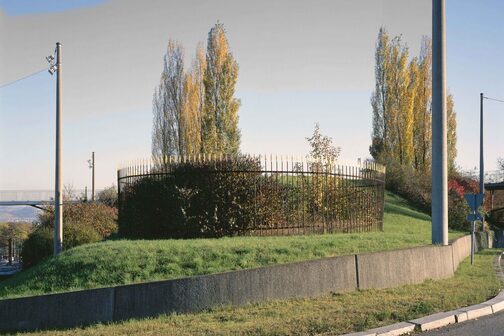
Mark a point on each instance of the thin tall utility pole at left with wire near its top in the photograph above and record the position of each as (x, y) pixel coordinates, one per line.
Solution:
(58, 197)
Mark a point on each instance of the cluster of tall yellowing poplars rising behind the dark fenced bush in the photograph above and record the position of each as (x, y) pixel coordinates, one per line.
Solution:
(195, 111)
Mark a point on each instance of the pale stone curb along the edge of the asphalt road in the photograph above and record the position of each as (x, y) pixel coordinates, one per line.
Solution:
(443, 319)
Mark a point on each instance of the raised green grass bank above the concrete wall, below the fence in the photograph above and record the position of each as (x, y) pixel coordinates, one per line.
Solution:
(131, 261)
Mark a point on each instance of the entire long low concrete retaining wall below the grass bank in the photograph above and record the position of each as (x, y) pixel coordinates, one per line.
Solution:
(300, 279)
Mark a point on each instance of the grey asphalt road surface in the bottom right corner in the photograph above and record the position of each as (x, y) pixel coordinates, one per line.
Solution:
(492, 325)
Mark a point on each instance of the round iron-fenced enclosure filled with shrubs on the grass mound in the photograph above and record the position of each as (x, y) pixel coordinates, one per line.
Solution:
(215, 196)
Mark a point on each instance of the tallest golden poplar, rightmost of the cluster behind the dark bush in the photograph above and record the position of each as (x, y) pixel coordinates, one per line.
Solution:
(220, 132)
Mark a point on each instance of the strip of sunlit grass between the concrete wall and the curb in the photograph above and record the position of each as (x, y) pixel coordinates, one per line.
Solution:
(328, 315)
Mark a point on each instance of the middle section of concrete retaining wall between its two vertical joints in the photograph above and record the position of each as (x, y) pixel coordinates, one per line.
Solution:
(301, 279)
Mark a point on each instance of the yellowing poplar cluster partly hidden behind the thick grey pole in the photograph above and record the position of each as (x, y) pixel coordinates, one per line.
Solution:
(402, 106)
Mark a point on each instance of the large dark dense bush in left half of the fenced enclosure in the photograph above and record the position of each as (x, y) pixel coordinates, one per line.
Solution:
(196, 200)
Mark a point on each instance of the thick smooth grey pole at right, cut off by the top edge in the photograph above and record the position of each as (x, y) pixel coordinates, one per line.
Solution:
(439, 136)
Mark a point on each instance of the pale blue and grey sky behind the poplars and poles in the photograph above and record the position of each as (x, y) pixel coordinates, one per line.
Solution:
(300, 62)
